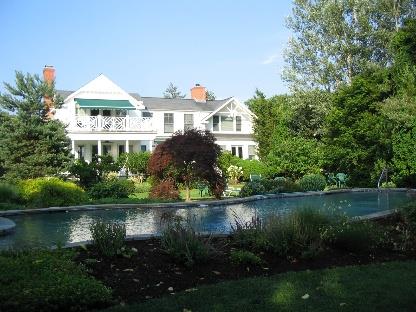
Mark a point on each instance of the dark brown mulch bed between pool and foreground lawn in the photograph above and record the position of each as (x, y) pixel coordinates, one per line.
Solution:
(152, 273)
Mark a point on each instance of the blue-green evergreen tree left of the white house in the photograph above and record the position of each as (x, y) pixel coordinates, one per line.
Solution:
(31, 144)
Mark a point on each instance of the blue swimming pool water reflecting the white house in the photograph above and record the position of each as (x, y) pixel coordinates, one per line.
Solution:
(48, 229)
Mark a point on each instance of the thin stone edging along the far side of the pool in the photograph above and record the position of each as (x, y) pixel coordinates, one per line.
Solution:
(201, 204)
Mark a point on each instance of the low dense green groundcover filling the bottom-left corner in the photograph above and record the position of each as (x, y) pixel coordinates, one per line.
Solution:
(37, 280)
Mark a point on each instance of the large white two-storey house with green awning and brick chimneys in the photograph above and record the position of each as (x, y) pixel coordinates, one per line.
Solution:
(102, 118)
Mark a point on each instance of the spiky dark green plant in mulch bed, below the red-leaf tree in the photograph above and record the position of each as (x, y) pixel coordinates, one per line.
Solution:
(180, 240)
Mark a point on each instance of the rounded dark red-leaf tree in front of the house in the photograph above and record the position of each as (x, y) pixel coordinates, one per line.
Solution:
(186, 158)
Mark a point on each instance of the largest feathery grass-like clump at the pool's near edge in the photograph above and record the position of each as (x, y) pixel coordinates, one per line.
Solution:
(296, 234)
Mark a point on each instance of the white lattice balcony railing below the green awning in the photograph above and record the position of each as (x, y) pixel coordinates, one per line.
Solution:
(104, 123)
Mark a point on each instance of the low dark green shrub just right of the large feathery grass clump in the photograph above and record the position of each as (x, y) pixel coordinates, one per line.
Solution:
(352, 236)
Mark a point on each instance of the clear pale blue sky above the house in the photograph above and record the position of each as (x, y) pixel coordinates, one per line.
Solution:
(231, 47)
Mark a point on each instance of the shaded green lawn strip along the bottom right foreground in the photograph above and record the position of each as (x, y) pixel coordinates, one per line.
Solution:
(379, 287)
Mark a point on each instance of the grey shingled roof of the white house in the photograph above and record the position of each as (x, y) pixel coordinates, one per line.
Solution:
(155, 103)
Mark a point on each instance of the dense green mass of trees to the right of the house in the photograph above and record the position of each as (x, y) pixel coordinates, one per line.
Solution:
(359, 125)
